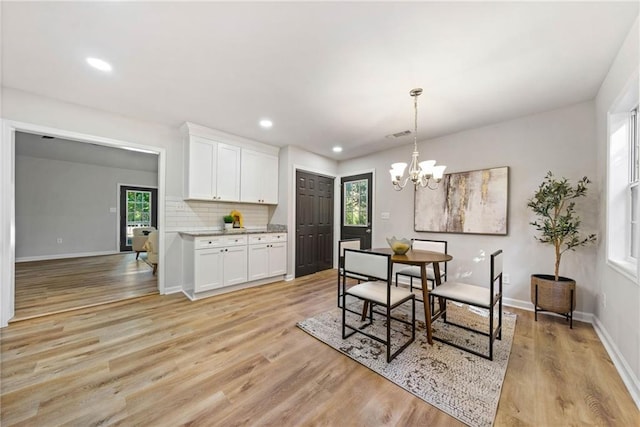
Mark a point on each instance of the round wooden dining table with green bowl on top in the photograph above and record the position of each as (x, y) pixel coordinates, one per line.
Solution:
(421, 259)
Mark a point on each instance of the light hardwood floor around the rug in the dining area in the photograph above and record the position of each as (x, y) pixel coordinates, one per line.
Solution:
(239, 359)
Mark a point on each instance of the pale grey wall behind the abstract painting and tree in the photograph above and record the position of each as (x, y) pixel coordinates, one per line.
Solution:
(562, 141)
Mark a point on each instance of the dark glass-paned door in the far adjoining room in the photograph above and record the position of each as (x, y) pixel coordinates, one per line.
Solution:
(138, 208)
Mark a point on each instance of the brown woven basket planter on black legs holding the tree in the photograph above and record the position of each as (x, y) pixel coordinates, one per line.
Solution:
(556, 296)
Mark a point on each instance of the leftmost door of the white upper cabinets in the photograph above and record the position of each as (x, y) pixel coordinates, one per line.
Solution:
(202, 158)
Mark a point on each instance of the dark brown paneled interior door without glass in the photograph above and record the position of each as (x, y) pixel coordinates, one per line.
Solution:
(314, 223)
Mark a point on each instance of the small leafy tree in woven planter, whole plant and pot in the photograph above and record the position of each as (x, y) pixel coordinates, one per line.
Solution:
(558, 225)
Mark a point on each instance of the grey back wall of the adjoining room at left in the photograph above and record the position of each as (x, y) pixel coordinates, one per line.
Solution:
(69, 200)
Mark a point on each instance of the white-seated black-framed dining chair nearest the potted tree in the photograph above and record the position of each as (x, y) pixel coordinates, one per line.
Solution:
(477, 296)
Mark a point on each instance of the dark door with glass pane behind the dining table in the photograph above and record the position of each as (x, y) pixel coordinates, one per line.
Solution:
(356, 200)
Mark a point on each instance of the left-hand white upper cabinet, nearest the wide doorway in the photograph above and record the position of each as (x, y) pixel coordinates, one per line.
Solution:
(212, 170)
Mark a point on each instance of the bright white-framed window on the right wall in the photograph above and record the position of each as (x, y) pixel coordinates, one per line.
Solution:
(623, 204)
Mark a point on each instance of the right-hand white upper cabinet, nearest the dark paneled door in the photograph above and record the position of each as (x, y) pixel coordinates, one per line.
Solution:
(259, 177)
